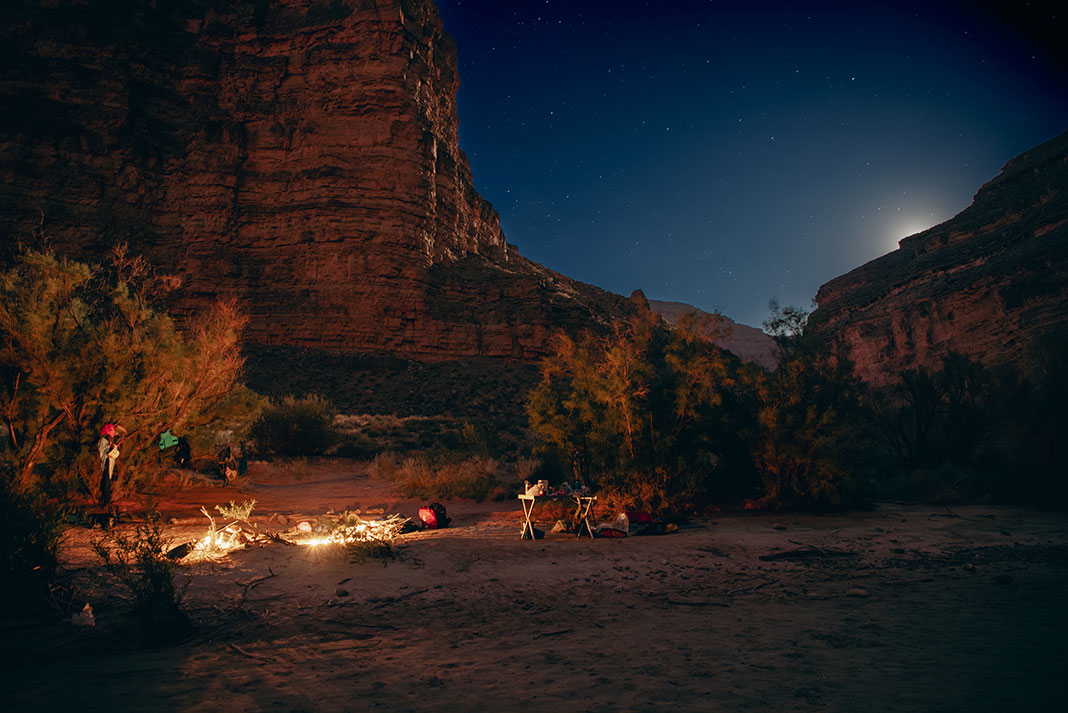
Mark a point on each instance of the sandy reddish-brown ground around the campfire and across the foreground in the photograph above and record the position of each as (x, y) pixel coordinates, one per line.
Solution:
(473, 619)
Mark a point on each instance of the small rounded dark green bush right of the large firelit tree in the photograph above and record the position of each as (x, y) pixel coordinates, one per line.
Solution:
(296, 427)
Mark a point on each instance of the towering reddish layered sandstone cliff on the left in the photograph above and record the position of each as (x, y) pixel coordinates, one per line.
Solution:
(301, 156)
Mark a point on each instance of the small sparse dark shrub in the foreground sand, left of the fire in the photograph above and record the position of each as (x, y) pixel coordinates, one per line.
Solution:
(140, 564)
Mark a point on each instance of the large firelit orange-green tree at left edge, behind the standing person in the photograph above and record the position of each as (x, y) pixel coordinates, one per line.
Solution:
(82, 346)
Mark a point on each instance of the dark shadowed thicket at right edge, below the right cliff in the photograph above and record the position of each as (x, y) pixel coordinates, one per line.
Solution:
(962, 432)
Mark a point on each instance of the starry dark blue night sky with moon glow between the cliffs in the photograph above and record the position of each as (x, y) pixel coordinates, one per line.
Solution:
(727, 153)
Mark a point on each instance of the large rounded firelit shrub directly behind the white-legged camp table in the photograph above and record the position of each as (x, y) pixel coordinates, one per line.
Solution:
(647, 410)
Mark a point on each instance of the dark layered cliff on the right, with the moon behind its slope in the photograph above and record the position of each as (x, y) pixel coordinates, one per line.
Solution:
(987, 283)
